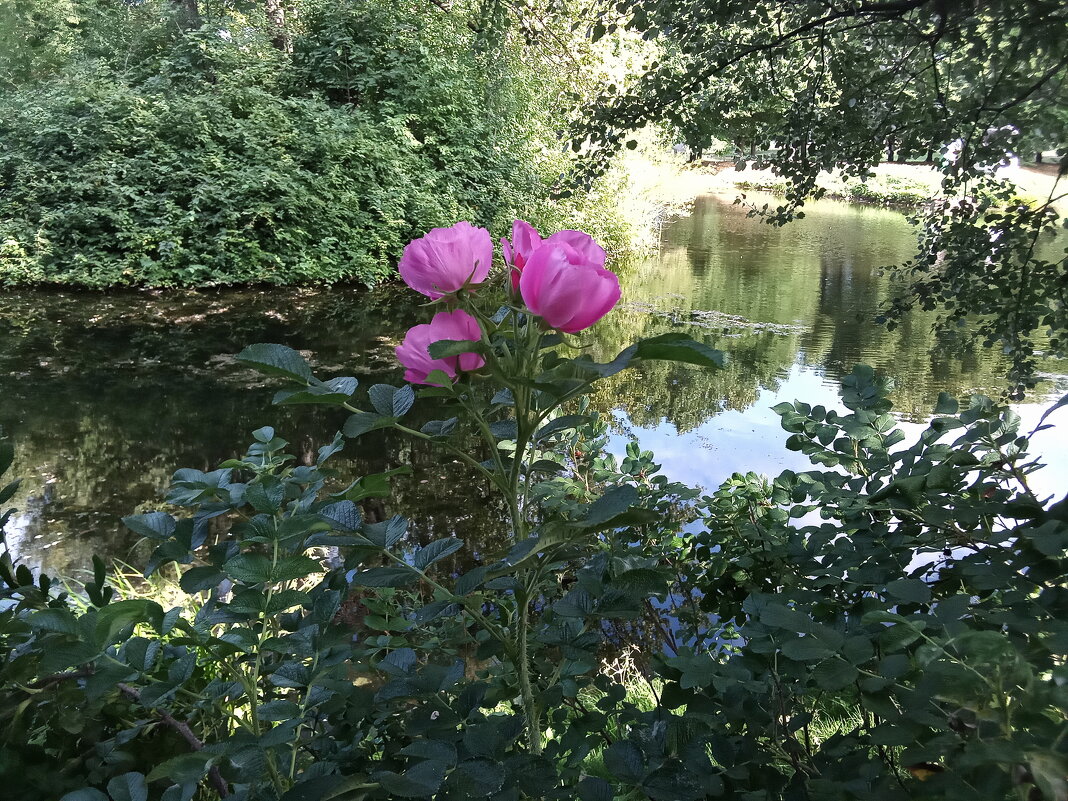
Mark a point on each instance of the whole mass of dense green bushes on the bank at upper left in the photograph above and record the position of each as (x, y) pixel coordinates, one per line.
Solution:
(144, 154)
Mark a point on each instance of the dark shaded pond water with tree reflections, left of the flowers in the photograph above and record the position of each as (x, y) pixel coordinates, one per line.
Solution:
(107, 396)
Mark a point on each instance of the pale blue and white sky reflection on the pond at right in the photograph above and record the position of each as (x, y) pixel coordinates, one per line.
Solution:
(753, 441)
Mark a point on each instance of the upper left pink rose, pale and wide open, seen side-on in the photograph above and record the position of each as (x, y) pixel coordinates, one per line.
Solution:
(447, 260)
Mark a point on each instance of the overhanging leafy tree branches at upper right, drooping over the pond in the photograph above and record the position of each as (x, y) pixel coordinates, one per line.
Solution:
(839, 85)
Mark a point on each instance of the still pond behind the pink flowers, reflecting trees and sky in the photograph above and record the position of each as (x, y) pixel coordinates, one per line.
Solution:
(106, 396)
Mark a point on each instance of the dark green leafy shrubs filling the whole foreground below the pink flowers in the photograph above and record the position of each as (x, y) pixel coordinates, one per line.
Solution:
(891, 625)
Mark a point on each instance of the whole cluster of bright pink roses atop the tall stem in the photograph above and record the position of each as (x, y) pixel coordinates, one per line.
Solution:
(561, 279)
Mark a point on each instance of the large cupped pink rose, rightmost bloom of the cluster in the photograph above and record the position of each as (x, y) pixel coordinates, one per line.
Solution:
(568, 287)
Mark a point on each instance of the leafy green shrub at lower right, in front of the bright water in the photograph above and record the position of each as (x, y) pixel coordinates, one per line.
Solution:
(919, 586)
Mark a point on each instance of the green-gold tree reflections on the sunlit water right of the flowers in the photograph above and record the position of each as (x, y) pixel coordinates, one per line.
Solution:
(823, 273)
